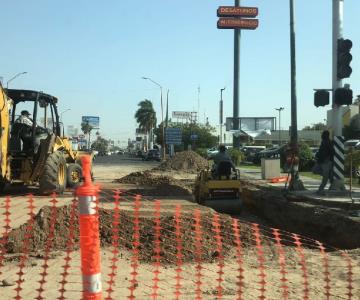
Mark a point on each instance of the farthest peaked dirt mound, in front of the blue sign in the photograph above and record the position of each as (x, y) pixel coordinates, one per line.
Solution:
(188, 161)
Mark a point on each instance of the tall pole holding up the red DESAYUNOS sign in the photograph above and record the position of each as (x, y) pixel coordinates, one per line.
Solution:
(237, 34)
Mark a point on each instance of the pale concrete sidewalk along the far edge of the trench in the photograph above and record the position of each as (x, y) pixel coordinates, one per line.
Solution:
(311, 186)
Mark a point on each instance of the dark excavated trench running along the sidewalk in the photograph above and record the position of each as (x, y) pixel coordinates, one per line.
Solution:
(329, 223)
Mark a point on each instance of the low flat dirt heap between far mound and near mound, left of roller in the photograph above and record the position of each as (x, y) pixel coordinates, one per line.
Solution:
(155, 185)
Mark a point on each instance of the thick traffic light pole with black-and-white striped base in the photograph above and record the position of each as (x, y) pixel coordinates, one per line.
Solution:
(339, 158)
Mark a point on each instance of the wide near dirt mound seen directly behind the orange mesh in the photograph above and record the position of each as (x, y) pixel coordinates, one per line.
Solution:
(36, 241)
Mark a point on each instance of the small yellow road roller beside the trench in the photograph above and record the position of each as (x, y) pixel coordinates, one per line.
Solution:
(220, 191)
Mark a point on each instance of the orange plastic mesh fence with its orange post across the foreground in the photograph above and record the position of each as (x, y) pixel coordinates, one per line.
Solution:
(151, 249)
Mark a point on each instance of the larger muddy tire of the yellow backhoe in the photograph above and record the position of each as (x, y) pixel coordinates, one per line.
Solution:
(53, 178)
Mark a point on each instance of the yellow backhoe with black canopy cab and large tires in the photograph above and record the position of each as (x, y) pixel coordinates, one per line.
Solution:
(37, 154)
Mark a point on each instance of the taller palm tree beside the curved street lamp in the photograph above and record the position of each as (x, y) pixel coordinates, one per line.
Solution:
(146, 117)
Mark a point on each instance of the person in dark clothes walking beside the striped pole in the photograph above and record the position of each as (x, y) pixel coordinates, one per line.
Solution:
(325, 157)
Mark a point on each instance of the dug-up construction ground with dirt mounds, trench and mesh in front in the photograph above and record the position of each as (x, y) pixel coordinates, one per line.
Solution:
(156, 242)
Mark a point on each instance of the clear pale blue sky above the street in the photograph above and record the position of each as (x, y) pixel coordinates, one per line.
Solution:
(92, 55)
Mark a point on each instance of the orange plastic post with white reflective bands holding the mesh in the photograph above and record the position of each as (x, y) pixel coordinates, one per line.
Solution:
(87, 195)
